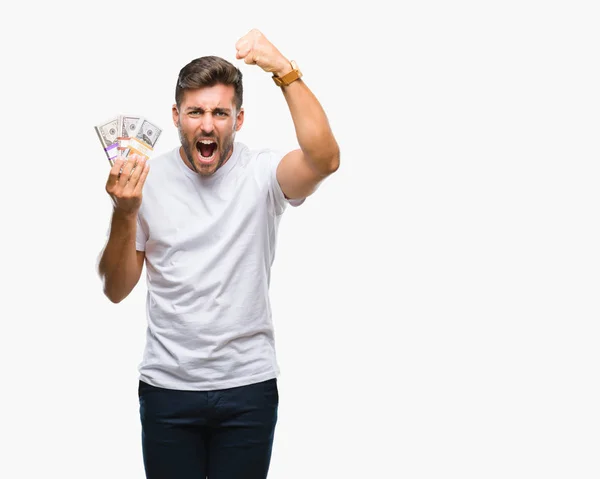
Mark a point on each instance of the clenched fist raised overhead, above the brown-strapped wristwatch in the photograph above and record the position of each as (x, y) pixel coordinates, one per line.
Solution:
(255, 49)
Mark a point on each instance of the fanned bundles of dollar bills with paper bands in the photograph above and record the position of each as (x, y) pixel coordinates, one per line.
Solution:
(127, 134)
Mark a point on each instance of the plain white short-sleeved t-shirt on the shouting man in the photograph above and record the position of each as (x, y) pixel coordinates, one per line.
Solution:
(209, 244)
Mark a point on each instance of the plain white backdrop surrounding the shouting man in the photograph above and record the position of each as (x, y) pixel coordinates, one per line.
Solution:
(436, 301)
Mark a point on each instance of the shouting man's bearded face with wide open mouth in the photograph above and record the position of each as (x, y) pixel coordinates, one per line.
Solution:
(207, 122)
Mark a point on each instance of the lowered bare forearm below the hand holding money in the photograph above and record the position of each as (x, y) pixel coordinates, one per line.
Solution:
(118, 266)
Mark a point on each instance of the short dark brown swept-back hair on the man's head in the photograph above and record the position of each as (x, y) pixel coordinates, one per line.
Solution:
(209, 71)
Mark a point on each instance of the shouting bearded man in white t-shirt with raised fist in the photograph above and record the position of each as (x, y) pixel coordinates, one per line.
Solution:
(207, 230)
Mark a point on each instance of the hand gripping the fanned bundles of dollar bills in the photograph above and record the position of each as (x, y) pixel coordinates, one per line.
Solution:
(125, 182)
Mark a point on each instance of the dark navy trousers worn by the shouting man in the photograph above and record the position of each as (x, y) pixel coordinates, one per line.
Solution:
(222, 434)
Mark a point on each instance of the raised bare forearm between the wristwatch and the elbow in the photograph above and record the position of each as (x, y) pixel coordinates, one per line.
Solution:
(313, 131)
